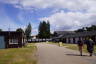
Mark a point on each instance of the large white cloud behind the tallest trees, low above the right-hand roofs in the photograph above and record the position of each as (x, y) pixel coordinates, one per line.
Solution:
(71, 20)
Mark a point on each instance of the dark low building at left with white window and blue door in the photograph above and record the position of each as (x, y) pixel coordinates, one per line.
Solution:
(12, 39)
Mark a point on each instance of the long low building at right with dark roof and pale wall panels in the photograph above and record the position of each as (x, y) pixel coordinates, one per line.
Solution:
(72, 37)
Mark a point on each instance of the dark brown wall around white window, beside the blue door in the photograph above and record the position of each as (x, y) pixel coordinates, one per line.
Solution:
(11, 36)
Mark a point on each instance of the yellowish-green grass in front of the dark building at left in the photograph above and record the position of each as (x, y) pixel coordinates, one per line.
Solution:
(25, 55)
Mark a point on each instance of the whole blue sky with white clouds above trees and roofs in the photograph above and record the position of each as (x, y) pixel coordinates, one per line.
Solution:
(63, 15)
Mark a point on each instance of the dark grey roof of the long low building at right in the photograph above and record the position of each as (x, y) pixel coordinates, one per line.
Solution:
(68, 34)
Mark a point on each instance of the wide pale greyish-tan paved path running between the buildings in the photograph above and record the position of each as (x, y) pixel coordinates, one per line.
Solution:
(52, 54)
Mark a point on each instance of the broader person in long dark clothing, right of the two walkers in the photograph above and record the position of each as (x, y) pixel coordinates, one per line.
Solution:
(90, 45)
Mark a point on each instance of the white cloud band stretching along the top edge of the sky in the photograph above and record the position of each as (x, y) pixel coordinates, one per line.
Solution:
(88, 5)
